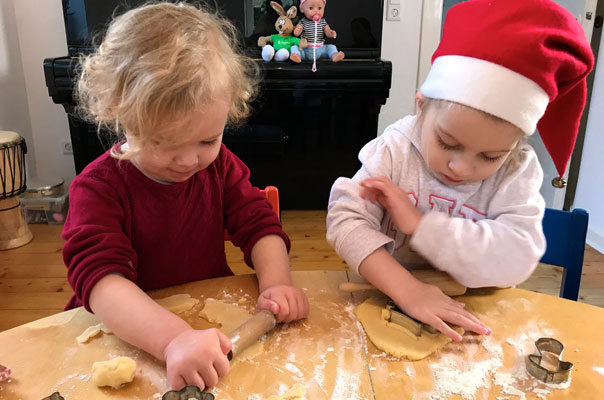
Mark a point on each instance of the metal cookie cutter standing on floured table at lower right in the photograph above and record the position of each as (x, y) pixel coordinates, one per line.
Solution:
(548, 366)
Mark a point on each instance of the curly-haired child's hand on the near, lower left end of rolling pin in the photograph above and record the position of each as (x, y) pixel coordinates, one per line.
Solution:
(197, 357)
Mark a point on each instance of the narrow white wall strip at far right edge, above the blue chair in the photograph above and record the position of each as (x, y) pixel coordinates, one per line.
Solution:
(590, 186)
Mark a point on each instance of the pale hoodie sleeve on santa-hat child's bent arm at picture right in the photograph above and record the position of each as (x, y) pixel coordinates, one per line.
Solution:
(503, 249)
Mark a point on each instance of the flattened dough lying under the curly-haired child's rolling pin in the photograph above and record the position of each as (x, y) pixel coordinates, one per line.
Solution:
(230, 317)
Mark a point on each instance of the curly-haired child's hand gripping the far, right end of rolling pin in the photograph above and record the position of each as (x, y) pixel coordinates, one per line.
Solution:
(287, 302)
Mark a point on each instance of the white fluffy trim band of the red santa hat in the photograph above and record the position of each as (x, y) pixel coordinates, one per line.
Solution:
(488, 87)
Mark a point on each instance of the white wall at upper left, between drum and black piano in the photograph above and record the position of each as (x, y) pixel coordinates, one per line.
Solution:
(33, 30)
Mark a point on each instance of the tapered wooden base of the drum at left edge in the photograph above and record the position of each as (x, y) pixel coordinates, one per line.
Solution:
(14, 231)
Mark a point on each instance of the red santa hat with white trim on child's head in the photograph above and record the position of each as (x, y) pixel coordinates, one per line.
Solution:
(524, 61)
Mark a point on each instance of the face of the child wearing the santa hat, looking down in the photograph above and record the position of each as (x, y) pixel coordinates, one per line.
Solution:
(462, 145)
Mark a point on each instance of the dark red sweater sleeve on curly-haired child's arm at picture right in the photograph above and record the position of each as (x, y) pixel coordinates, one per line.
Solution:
(248, 215)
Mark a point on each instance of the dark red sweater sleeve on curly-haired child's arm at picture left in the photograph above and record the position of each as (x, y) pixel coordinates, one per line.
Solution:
(95, 242)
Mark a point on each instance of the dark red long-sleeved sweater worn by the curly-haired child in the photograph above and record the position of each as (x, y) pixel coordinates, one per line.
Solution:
(160, 235)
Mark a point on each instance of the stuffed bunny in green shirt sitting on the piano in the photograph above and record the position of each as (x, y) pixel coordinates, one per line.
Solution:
(284, 44)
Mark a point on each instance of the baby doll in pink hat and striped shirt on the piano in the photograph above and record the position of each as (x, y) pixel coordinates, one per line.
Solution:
(315, 29)
